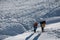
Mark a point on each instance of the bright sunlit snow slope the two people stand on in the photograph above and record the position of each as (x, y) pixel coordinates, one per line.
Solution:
(52, 32)
